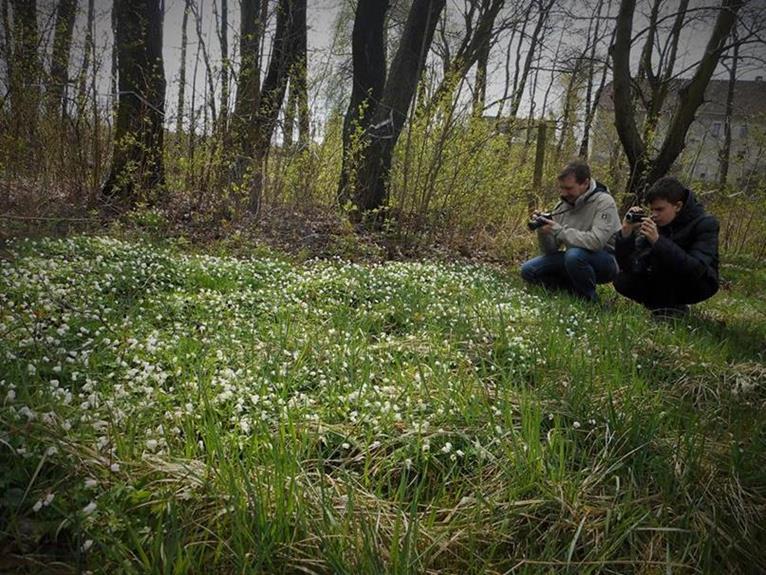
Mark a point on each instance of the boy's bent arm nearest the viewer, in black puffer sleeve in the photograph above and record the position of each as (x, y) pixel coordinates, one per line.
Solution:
(695, 261)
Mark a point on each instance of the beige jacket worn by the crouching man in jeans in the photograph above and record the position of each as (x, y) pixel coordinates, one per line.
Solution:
(591, 223)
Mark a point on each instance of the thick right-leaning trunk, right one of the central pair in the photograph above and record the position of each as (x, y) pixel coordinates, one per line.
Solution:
(391, 113)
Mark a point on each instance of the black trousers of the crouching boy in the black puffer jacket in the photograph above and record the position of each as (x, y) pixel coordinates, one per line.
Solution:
(664, 290)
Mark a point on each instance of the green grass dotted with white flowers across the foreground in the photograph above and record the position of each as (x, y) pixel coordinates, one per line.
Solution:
(170, 413)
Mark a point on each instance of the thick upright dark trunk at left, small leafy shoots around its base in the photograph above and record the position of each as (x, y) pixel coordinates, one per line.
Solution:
(137, 168)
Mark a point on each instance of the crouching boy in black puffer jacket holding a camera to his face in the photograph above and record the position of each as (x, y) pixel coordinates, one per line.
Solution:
(669, 259)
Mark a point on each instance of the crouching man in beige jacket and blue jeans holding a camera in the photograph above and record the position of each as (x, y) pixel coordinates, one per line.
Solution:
(583, 223)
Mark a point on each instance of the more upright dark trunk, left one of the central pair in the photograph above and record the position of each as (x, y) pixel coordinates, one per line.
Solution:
(368, 52)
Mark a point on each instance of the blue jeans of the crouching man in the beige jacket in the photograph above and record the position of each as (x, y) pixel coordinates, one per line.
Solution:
(577, 270)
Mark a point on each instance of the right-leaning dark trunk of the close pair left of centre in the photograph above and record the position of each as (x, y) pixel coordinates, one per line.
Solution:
(284, 53)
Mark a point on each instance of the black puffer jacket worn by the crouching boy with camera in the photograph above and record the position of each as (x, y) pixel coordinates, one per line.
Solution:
(687, 247)
